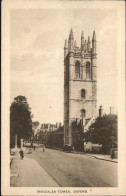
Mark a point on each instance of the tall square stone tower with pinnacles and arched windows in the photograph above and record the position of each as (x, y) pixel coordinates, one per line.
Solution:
(80, 82)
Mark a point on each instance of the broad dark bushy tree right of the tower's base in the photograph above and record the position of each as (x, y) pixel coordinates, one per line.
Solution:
(103, 131)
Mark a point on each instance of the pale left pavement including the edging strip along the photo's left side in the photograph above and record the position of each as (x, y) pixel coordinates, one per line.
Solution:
(28, 173)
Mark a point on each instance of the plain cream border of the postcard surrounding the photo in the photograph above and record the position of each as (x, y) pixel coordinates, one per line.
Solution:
(7, 5)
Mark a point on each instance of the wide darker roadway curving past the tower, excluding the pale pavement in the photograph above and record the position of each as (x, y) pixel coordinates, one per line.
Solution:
(75, 170)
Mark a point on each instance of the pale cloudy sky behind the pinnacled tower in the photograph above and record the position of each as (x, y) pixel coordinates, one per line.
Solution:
(37, 39)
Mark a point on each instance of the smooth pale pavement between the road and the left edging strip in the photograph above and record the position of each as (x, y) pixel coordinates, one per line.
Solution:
(31, 174)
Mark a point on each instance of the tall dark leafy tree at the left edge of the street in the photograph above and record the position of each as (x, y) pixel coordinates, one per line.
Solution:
(20, 120)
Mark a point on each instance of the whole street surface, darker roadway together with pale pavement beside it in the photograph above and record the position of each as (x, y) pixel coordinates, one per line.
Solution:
(56, 168)
